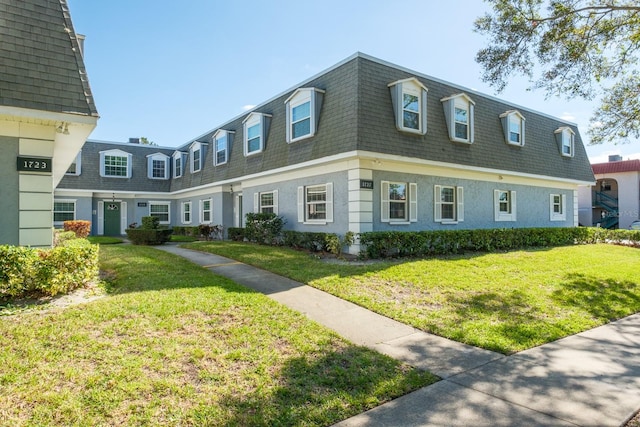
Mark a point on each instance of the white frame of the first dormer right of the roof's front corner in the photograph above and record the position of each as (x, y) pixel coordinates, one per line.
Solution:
(411, 87)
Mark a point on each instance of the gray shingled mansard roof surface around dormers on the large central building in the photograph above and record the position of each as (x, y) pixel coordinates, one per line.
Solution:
(357, 114)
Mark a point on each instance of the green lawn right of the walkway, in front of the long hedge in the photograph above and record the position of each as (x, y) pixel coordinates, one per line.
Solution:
(505, 302)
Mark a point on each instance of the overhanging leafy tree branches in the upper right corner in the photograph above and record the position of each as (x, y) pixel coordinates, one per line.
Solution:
(570, 48)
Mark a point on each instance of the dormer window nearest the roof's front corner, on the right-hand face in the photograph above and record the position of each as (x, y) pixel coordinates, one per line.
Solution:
(409, 99)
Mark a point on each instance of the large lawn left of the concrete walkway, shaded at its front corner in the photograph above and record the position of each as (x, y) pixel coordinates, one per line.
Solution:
(173, 344)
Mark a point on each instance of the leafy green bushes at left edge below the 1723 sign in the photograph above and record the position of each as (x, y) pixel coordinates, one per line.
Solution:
(27, 271)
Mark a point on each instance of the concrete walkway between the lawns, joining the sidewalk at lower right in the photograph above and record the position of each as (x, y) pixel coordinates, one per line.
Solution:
(589, 379)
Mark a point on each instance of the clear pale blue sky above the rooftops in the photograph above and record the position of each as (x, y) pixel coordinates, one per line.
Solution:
(171, 71)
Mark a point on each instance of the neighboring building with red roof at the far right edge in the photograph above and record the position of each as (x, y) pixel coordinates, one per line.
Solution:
(614, 200)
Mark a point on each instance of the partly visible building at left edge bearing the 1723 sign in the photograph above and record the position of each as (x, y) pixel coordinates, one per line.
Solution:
(46, 114)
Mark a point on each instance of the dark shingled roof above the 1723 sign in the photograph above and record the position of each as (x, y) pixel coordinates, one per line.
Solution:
(41, 66)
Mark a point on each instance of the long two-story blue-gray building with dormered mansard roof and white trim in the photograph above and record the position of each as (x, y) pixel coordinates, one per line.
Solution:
(363, 146)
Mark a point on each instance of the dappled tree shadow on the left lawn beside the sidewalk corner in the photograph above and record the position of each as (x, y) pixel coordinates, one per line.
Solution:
(320, 391)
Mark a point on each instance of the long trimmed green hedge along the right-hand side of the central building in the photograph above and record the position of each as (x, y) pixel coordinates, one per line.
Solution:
(395, 244)
